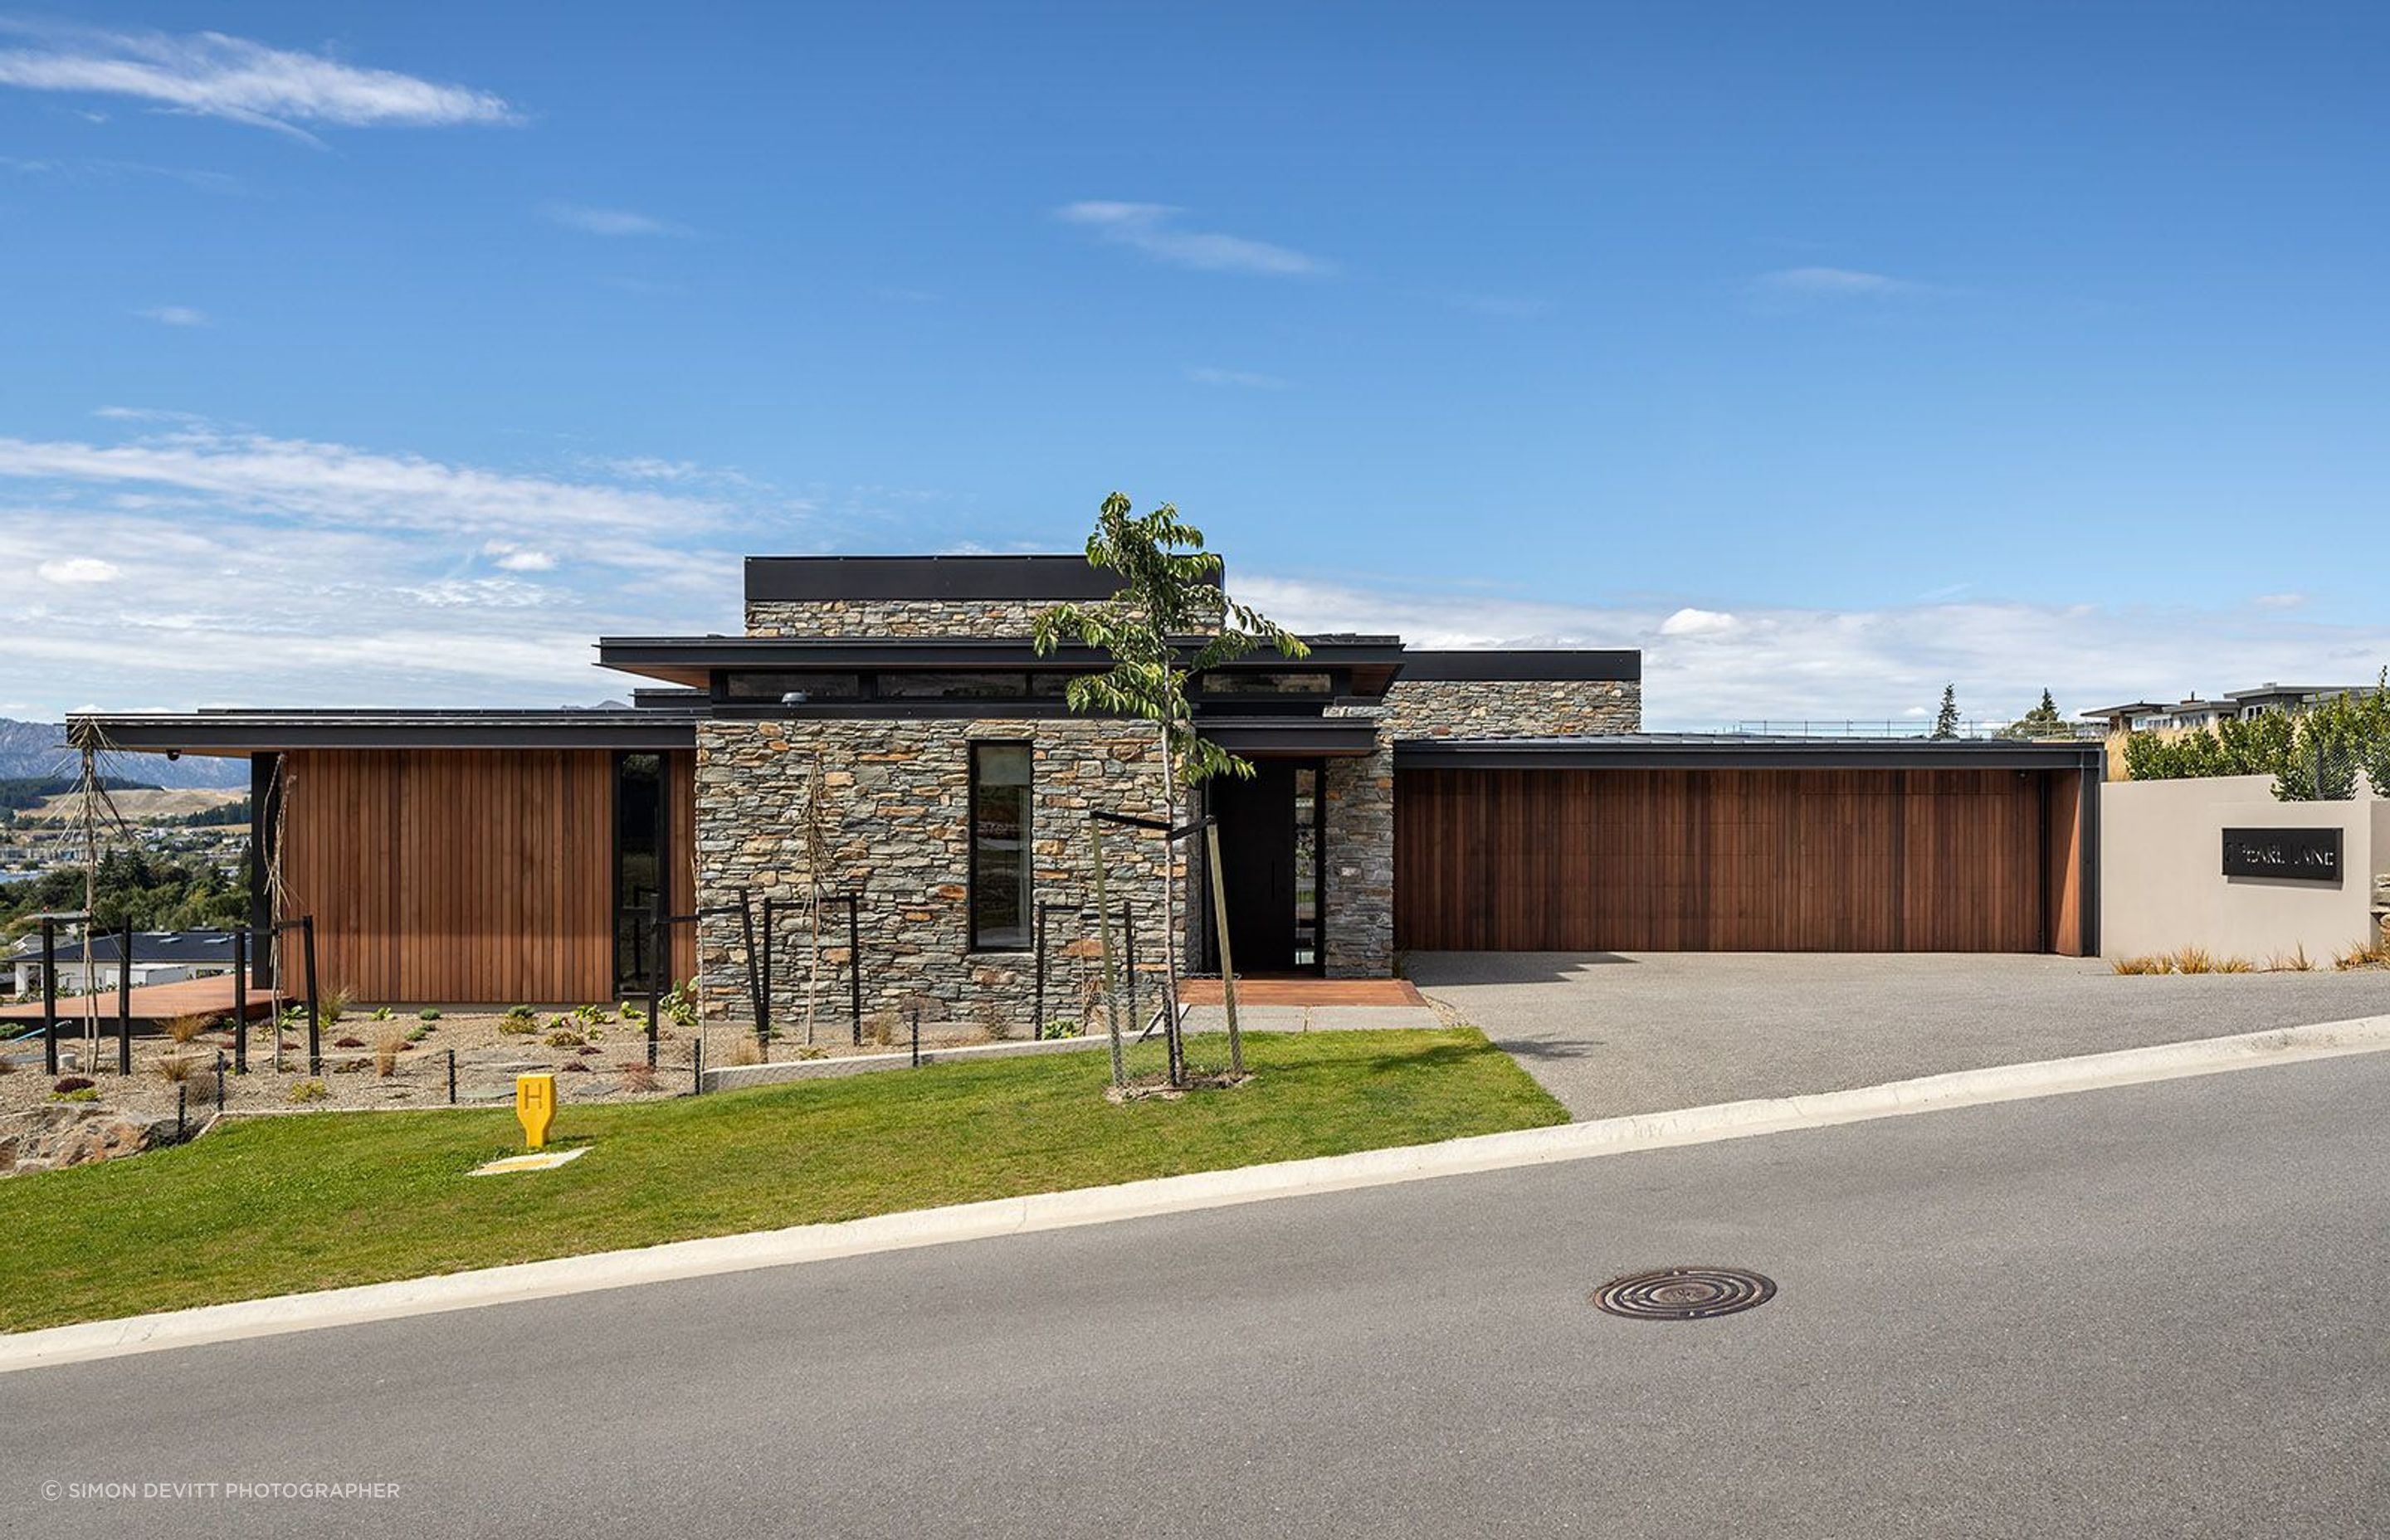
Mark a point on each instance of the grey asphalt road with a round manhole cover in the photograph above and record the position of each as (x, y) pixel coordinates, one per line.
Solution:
(2147, 1312)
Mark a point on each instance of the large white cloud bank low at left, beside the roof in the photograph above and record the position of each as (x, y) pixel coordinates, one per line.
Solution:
(161, 570)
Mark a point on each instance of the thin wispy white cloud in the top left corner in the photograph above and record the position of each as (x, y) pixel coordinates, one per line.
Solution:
(216, 75)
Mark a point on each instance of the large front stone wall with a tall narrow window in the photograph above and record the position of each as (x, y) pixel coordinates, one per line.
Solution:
(895, 821)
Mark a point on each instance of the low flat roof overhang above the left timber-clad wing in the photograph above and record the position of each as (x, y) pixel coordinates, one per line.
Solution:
(238, 733)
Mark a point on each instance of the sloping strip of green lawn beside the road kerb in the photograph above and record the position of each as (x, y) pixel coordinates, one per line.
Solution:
(290, 1204)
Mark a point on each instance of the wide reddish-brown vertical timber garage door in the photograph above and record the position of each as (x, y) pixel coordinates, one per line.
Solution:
(1732, 860)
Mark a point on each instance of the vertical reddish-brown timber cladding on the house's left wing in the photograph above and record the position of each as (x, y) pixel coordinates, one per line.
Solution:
(465, 876)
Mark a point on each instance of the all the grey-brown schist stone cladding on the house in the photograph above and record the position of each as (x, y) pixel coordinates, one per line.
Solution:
(888, 807)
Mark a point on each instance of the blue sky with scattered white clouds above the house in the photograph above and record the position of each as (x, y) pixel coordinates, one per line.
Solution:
(1827, 353)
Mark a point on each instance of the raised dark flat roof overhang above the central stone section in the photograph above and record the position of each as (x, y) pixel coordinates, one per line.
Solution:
(694, 661)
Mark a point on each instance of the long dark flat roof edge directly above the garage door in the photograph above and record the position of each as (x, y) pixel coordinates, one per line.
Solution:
(1729, 752)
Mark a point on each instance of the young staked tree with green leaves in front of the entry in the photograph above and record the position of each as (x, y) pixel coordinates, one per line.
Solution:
(1168, 623)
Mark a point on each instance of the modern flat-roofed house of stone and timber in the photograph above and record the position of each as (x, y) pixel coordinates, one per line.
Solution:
(883, 728)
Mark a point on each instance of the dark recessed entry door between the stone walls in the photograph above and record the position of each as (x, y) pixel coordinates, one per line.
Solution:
(1270, 864)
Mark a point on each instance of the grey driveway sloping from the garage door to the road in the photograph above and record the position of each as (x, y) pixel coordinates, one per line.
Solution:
(1648, 1032)
